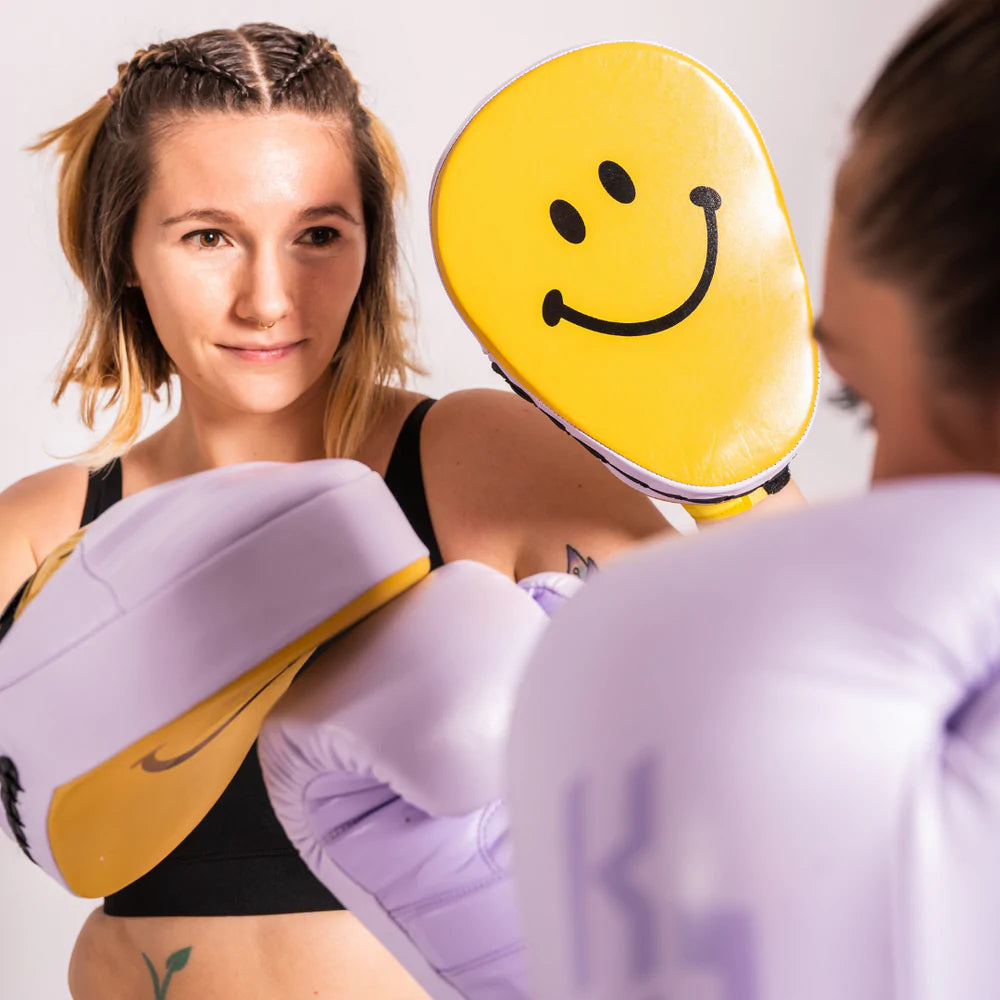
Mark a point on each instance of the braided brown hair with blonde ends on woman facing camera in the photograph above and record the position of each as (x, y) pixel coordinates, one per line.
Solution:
(105, 162)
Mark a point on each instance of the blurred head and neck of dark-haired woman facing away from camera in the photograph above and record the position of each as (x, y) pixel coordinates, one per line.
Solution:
(912, 292)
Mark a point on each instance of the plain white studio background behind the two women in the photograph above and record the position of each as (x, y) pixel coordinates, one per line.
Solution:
(799, 65)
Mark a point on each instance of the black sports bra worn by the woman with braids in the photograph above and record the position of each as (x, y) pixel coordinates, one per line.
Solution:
(238, 860)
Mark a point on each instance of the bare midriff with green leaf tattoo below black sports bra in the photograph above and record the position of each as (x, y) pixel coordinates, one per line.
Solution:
(297, 956)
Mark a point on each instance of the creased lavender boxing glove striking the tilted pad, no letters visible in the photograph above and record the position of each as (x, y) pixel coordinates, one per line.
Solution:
(384, 763)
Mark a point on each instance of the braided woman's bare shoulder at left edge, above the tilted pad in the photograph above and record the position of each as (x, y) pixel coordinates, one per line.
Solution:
(36, 514)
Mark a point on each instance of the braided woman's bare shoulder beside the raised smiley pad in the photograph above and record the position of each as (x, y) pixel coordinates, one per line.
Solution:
(507, 487)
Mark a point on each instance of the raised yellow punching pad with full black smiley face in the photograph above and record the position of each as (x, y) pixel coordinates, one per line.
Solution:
(610, 227)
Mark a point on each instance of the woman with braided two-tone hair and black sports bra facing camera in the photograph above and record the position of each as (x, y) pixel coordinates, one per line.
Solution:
(228, 207)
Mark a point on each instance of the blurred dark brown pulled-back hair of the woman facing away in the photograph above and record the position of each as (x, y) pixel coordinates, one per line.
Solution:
(924, 207)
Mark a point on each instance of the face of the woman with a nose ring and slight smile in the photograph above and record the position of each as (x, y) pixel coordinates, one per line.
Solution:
(249, 248)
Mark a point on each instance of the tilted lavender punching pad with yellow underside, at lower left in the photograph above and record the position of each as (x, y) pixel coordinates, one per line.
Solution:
(138, 662)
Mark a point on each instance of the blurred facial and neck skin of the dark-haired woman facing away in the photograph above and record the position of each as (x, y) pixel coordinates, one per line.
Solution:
(869, 331)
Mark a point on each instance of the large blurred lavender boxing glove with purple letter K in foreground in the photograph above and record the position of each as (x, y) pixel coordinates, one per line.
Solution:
(789, 791)
